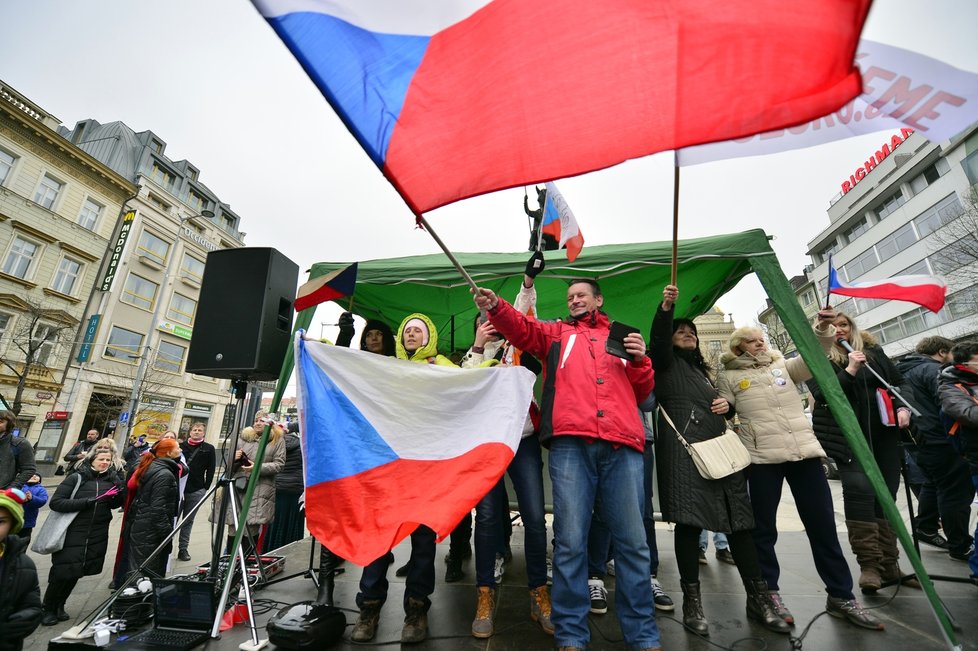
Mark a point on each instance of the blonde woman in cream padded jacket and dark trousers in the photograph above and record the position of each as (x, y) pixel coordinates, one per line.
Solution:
(760, 384)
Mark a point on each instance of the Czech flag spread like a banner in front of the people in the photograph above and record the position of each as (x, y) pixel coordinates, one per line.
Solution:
(389, 444)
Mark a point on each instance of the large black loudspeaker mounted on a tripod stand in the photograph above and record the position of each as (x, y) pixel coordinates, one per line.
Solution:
(244, 315)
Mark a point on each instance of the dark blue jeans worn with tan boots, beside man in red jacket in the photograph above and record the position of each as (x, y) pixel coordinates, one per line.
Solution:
(526, 471)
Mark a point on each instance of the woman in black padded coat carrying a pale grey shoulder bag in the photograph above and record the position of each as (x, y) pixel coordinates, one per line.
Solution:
(101, 488)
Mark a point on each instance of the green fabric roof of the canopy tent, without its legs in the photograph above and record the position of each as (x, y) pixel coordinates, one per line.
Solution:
(631, 276)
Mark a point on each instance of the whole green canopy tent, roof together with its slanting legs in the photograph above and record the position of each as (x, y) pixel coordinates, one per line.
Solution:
(632, 277)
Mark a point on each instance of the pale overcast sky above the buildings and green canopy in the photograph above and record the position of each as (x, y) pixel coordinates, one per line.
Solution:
(213, 80)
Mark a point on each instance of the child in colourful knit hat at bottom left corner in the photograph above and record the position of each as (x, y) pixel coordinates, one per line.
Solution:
(20, 598)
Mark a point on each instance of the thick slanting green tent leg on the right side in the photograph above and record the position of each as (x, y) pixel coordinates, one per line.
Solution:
(796, 323)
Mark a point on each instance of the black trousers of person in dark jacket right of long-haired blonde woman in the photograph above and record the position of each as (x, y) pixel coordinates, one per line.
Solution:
(952, 481)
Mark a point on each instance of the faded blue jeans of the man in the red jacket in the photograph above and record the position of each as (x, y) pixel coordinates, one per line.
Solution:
(581, 471)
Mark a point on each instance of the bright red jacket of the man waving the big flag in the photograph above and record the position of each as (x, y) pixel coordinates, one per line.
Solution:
(587, 392)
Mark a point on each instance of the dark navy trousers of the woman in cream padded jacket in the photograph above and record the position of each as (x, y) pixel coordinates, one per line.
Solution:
(813, 499)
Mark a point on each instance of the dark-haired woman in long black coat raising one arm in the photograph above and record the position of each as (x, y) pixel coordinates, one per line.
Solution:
(685, 392)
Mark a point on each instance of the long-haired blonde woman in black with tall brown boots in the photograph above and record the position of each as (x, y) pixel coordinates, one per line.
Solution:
(872, 539)
